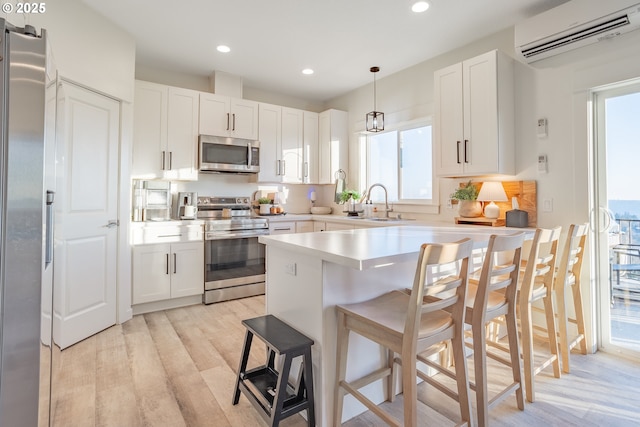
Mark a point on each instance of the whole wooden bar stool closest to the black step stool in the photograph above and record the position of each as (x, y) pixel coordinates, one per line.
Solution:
(408, 324)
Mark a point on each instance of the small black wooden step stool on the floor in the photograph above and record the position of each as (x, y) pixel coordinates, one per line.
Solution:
(267, 389)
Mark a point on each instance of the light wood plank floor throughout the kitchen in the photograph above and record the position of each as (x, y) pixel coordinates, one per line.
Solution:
(177, 368)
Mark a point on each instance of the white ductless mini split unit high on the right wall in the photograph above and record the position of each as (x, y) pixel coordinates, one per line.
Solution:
(574, 24)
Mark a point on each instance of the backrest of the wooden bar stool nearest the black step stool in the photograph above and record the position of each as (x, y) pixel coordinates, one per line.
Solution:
(431, 291)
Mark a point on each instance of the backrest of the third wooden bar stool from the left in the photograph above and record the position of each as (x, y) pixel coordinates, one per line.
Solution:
(541, 263)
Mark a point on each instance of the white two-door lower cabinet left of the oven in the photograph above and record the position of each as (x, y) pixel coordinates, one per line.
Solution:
(167, 270)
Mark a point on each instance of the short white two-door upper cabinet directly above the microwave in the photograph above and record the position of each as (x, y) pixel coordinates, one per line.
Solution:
(225, 116)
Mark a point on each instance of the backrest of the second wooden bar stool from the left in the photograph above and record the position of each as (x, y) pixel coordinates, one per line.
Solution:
(496, 277)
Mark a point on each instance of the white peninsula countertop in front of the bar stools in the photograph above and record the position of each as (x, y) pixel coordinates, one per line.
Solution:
(372, 247)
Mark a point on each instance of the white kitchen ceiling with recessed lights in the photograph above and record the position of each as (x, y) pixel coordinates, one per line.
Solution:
(273, 40)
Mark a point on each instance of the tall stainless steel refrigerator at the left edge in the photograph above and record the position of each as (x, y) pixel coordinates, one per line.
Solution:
(26, 228)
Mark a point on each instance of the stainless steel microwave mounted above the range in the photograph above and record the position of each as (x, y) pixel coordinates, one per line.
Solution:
(232, 155)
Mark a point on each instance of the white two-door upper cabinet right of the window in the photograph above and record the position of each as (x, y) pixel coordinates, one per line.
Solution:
(474, 117)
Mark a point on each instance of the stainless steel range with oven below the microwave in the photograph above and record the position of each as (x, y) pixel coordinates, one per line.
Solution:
(234, 260)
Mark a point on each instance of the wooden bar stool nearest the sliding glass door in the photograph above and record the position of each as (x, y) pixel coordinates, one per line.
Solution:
(568, 277)
